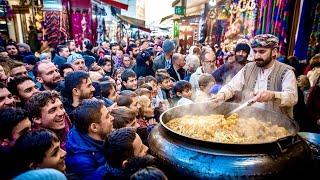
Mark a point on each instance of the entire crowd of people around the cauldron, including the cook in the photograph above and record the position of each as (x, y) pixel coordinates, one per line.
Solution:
(85, 114)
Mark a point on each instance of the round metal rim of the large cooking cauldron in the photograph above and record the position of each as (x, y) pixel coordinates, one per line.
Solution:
(292, 122)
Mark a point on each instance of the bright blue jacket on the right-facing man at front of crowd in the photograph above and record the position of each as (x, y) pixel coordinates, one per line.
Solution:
(84, 154)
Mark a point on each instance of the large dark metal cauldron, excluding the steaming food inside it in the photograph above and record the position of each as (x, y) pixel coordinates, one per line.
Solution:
(197, 159)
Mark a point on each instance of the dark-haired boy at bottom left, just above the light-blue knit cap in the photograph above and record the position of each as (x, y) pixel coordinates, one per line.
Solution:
(36, 150)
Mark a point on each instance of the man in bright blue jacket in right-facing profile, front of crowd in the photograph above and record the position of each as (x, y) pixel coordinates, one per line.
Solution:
(92, 122)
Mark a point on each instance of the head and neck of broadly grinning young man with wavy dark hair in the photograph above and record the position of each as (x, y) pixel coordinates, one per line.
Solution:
(46, 111)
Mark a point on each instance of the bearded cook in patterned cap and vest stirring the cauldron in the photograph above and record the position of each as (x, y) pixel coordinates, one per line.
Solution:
(272, 84)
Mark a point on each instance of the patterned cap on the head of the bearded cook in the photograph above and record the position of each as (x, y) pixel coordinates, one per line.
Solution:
(265, 40)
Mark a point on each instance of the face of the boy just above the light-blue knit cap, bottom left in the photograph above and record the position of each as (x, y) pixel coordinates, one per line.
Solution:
(54, 158)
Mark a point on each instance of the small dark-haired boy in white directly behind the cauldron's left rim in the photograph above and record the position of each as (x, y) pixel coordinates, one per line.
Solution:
(183, 93)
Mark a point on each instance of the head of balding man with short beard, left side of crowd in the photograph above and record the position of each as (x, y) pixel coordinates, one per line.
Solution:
(47, 74)
